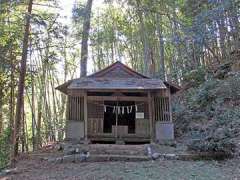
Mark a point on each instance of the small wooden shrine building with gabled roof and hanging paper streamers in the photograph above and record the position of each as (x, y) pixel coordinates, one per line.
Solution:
(118, 104)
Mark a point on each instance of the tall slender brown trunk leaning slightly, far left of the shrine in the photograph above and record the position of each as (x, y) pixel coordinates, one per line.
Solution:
(21, 83)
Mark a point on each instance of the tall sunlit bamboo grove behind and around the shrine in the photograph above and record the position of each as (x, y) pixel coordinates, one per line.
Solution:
(166, 39)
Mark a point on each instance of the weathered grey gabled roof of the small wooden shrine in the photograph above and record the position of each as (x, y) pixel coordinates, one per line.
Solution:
(115, 76)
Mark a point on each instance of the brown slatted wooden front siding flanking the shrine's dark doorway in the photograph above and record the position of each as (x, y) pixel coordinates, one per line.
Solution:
(155, 108)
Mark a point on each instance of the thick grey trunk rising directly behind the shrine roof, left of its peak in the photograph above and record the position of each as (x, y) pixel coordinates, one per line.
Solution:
(85, 35)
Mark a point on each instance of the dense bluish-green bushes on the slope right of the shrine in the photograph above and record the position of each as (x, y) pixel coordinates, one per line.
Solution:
(209, 116)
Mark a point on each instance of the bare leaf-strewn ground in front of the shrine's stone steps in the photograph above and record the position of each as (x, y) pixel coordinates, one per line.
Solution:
(34, 167)
